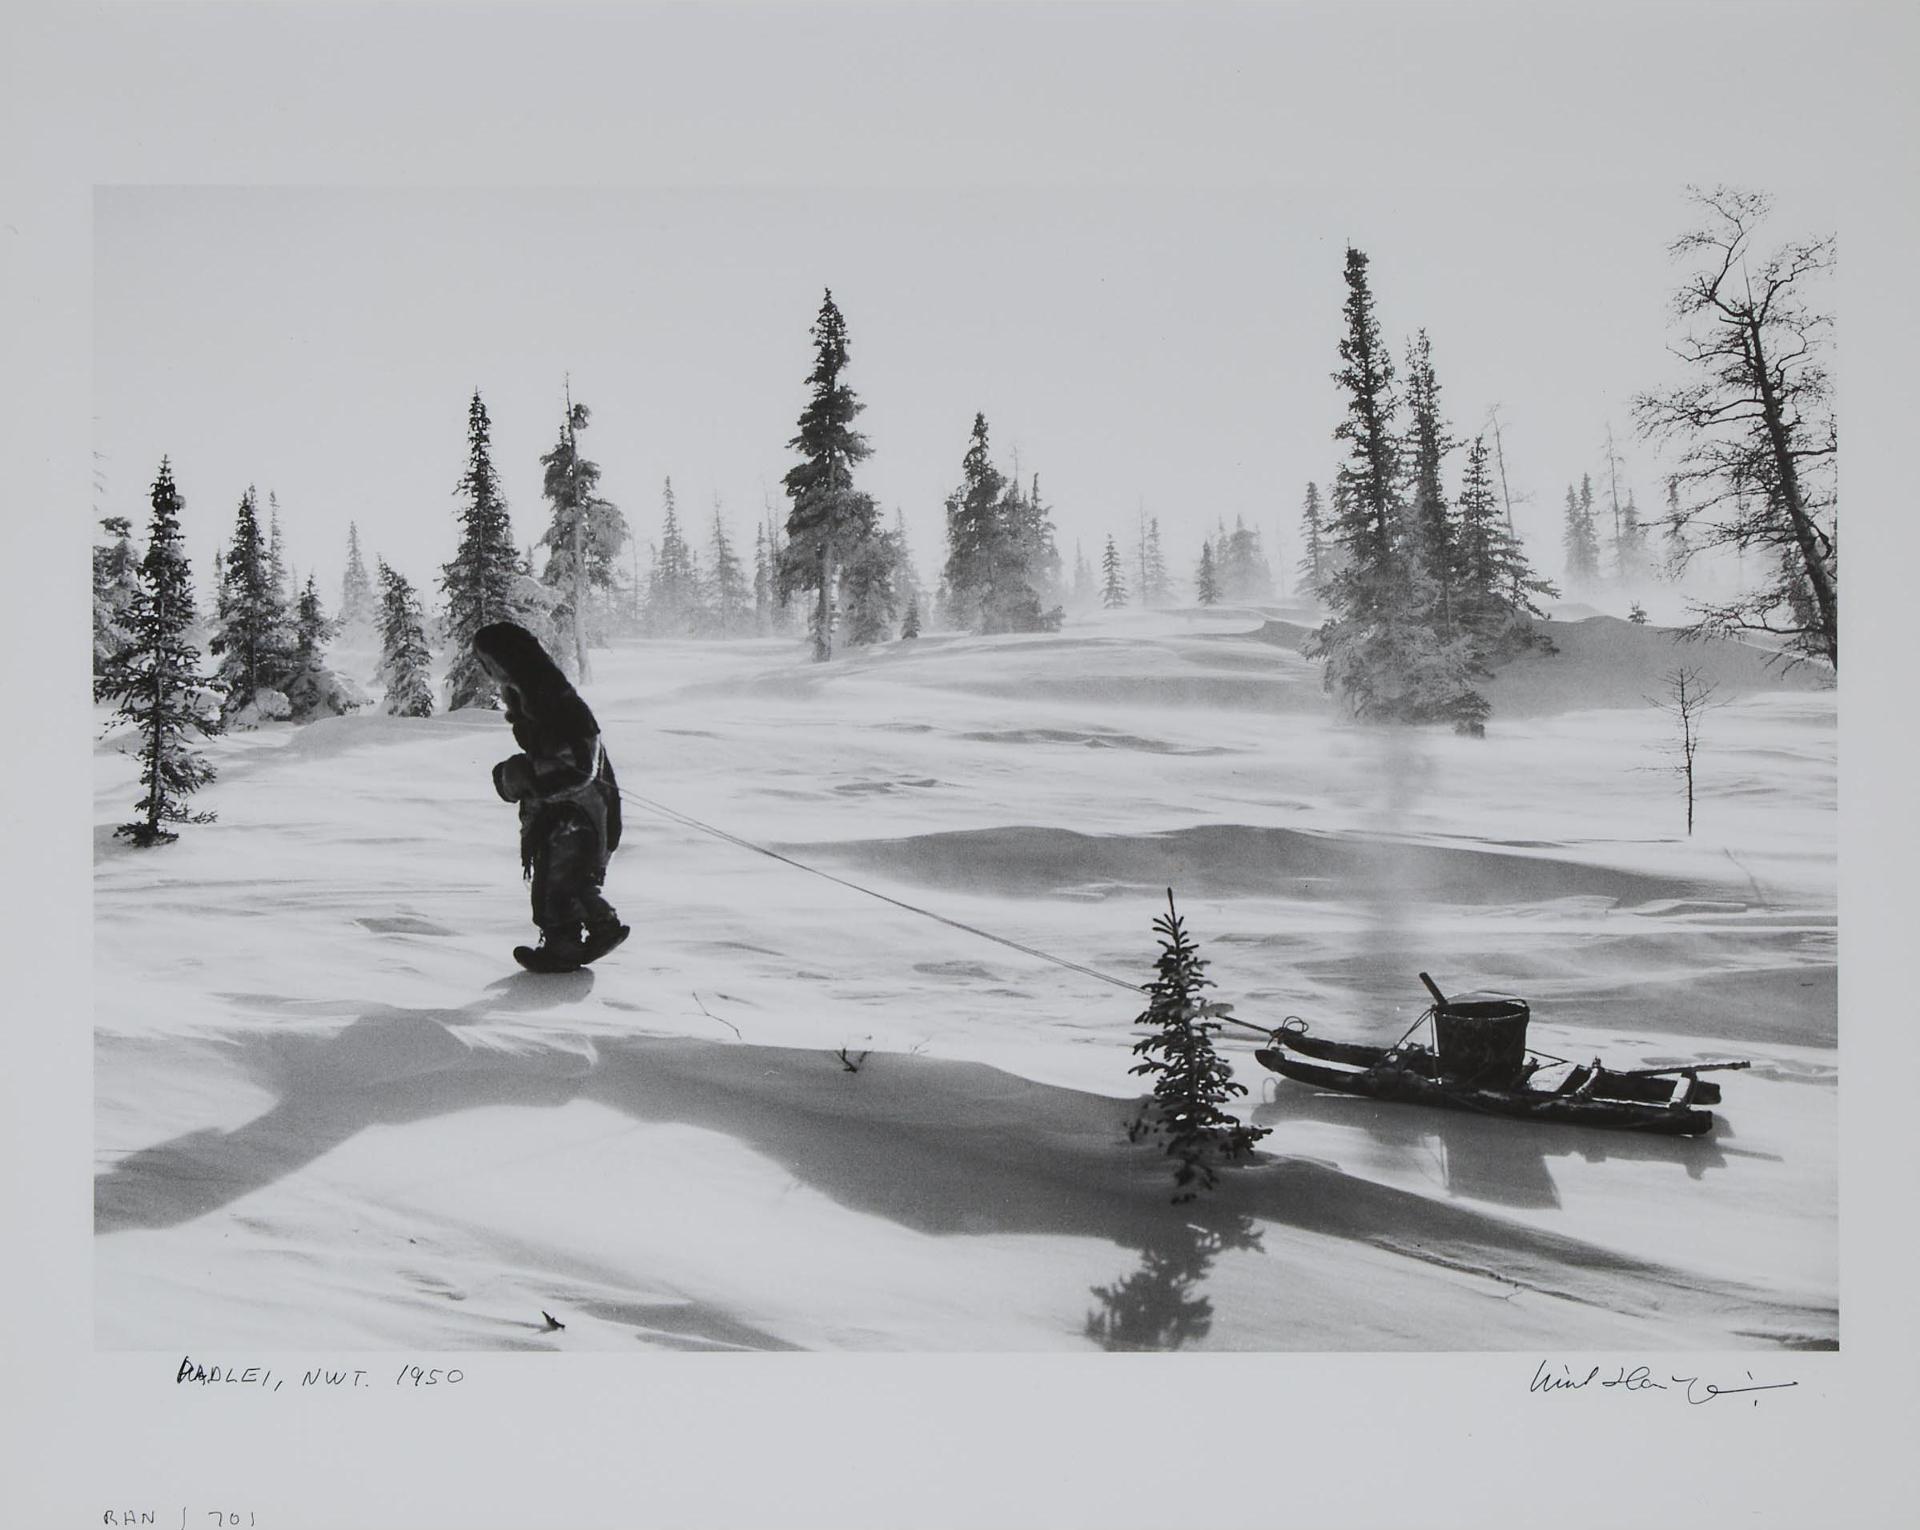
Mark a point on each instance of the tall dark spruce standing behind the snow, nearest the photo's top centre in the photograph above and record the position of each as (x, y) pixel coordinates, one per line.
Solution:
(828, 521)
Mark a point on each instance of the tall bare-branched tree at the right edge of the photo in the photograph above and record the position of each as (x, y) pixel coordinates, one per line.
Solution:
(1758, 423)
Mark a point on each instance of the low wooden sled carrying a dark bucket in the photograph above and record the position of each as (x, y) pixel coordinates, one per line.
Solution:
(1479, 1061)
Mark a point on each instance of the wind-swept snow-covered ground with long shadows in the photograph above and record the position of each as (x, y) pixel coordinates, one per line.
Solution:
(333, 1112)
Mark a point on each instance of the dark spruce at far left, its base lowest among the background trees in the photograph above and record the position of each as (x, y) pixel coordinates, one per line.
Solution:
(158, 682)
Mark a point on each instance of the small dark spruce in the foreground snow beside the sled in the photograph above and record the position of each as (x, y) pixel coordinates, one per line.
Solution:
(1191, 1080)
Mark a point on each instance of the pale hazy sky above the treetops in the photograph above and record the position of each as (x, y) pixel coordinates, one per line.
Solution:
(1164, 350)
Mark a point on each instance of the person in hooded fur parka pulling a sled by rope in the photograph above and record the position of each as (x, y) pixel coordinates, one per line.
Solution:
(567, 796)
